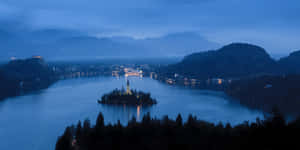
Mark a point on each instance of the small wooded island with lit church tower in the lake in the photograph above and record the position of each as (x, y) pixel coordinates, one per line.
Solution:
(128, 97)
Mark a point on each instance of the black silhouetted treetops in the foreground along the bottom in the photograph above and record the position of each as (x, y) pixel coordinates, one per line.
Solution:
(194, 134)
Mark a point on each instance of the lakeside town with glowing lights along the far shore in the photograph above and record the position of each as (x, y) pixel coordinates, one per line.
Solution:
(74, 70)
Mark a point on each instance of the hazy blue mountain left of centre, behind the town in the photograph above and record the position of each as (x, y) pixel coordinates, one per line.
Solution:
(91, 47)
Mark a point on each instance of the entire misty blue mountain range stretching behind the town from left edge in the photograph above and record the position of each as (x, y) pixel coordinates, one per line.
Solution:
(62, 44)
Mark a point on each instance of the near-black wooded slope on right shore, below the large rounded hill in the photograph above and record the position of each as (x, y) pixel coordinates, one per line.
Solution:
(264, 92)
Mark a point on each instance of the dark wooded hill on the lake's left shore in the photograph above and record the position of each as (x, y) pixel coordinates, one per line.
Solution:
(20, 76)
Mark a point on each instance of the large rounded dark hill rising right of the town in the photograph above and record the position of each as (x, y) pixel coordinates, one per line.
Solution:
(234, 60)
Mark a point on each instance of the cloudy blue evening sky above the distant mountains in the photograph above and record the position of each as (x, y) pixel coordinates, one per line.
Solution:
(144, 18)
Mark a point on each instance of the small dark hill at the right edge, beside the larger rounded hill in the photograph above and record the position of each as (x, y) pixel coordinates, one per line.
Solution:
(291, 63)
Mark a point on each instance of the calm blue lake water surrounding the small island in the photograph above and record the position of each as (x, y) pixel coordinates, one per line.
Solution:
(33, 122)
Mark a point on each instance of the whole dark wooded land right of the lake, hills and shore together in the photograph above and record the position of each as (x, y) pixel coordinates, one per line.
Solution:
(250, 75)
